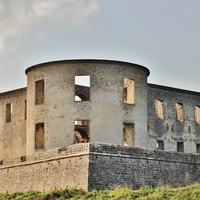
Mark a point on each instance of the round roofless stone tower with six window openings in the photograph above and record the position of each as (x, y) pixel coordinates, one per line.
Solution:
(76, 101)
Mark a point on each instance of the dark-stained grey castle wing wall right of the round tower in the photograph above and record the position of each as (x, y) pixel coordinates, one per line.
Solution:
(179, 122)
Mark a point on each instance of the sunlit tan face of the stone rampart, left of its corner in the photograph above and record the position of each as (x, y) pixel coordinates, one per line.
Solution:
(48, 170)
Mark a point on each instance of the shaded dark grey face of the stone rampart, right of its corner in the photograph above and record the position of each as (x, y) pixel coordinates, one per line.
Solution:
(112, 165)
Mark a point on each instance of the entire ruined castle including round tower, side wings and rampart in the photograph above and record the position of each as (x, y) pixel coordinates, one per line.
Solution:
(116, 118)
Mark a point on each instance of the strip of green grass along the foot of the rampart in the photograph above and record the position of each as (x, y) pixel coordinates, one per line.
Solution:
(190, 192)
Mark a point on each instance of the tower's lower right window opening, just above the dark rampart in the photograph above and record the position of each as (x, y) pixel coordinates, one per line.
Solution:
(128, 135)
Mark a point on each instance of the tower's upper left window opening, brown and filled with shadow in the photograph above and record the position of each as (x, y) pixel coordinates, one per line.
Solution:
(39, 92)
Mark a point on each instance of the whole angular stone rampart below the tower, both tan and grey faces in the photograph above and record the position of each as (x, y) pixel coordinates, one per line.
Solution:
(98, 166)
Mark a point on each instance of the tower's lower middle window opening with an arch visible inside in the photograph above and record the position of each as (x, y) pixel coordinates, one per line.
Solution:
(81, 131)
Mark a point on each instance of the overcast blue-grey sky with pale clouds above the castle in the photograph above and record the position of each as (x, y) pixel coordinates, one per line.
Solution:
(162, 35)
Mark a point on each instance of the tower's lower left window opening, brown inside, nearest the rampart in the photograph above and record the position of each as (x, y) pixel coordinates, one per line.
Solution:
(39, 136)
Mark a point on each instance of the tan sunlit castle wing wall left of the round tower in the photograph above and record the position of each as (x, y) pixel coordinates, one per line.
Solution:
(13, 124)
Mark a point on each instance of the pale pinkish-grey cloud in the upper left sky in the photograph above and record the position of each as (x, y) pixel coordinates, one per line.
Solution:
(20, 17)
